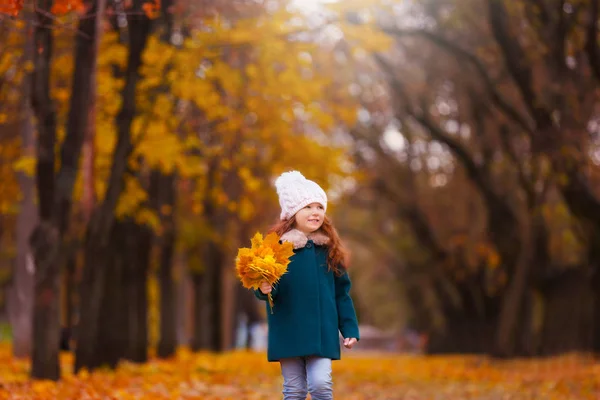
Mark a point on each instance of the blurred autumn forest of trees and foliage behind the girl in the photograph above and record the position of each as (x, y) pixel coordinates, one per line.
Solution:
(458, 140)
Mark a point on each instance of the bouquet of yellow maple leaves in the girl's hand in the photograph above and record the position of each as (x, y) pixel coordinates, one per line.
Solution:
(266, 260)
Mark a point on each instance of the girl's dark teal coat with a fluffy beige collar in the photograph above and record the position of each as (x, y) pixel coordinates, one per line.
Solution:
(311, 304)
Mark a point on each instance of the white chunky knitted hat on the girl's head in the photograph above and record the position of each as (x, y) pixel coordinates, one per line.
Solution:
(296, 192)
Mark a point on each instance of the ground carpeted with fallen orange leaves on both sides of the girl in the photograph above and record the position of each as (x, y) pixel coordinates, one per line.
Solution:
(359, 376)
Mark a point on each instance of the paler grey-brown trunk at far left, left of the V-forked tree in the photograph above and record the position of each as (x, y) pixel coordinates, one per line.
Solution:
(20, 295)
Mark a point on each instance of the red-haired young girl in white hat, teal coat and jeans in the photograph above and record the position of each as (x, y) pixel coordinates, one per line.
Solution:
(311, 301)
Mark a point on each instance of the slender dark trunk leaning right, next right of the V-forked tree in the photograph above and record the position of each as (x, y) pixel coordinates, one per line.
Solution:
(102, 221)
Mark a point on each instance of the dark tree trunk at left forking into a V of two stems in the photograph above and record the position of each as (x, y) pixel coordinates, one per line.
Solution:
(55, 194)
